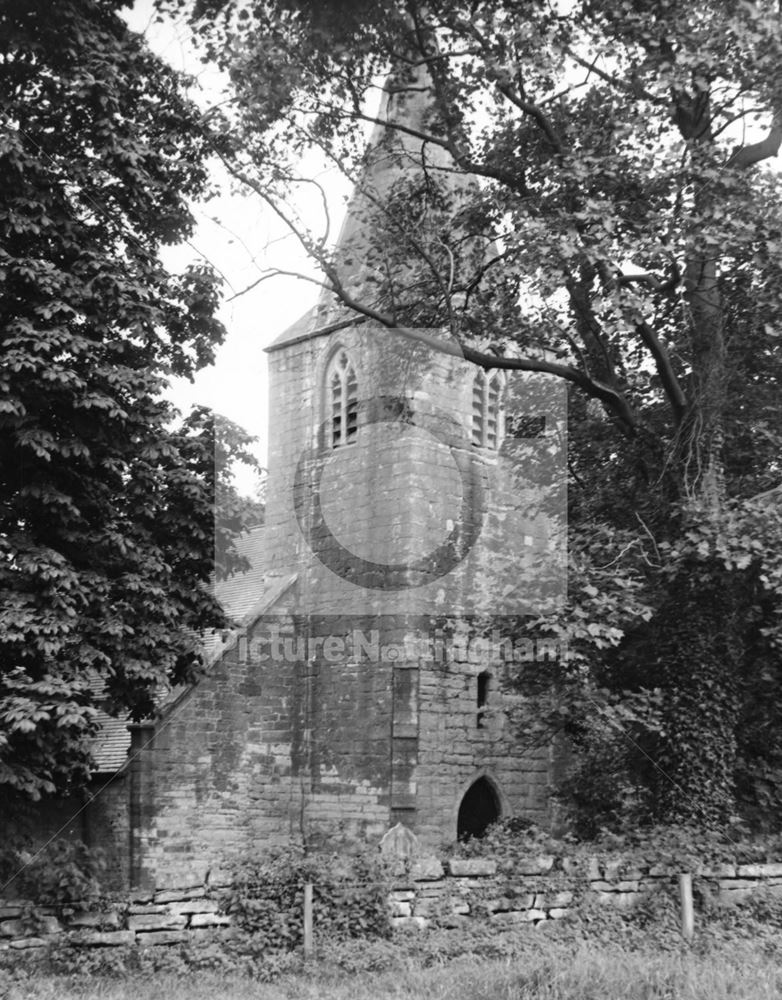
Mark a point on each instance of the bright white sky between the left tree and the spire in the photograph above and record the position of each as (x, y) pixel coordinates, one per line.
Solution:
(241, 238)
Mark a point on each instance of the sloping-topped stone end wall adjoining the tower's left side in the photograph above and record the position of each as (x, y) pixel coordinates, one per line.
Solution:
(219, 775)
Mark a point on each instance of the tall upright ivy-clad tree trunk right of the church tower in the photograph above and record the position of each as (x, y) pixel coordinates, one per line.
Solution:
(699, 628)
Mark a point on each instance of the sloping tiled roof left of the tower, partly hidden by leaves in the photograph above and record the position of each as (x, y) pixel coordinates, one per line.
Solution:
(239, 595)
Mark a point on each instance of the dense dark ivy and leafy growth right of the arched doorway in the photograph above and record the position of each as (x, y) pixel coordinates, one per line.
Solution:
(678, 720)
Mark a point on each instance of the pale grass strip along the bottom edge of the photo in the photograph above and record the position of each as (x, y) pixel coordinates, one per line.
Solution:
(557, 971)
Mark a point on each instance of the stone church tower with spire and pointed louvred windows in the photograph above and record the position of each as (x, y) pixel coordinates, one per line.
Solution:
(352, 694)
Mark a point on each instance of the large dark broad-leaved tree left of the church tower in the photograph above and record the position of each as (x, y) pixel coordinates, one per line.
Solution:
(106, 526)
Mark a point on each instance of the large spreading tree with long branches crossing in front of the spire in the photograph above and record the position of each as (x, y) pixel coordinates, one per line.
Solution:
(614, 158)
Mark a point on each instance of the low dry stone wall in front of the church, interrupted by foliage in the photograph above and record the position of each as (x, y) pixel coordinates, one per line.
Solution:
(430, 893)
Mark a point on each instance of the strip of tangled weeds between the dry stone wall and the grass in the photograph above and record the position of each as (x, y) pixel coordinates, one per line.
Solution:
(650, 931)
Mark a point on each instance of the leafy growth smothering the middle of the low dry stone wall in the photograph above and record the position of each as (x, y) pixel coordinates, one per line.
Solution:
(266, 896)
